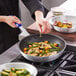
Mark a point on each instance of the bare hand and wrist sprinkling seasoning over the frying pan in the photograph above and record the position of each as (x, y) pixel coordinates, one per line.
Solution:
(44, 26)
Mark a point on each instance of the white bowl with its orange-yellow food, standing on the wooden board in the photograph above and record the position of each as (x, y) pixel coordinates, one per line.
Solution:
(63, 23)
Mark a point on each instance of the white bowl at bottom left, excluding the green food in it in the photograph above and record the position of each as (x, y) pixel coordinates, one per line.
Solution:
(33, 71)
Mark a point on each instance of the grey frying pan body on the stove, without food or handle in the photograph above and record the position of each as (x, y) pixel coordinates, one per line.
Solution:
(45, 37)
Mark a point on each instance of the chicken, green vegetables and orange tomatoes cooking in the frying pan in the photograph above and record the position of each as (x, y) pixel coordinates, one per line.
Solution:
(41, 49)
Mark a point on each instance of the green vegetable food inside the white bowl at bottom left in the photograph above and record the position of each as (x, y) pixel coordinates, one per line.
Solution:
(15, 72)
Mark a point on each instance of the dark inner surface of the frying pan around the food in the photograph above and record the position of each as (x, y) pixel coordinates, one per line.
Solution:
(45, 37)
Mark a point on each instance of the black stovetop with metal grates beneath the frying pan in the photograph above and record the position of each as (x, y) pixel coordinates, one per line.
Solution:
(63, 66)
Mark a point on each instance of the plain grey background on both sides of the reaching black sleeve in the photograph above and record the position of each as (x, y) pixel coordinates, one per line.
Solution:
(25, 14)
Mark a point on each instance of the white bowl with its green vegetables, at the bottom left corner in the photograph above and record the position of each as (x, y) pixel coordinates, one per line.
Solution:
(17, 69)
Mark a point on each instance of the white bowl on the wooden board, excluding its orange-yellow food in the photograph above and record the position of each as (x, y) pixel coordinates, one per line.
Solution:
(63, 19)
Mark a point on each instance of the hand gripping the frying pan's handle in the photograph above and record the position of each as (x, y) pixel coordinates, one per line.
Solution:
(11, 20)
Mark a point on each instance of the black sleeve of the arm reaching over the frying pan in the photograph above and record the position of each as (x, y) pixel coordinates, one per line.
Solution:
(33, 5)
